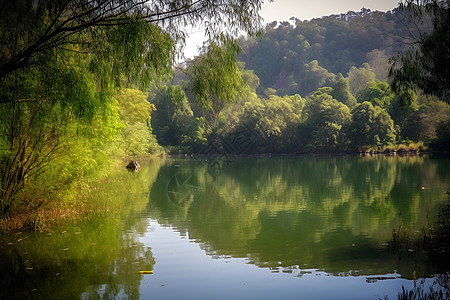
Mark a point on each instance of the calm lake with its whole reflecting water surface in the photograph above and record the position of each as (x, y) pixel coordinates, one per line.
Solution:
(243, 228)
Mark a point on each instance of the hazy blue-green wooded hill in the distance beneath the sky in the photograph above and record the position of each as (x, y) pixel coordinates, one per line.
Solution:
(298, 57)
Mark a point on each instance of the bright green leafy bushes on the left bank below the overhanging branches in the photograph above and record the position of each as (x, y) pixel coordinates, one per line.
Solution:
(61, 105)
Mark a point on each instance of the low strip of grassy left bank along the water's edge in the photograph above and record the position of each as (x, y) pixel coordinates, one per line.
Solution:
(86, 200)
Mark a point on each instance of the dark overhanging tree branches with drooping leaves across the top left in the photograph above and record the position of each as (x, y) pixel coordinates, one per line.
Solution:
(29, 29)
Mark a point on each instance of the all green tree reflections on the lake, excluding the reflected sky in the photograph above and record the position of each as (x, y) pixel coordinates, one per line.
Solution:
(299, 216)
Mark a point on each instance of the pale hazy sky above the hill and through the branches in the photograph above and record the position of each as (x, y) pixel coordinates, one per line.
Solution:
(282, 10)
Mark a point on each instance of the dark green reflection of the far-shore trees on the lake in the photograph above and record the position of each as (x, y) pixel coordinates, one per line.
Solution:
(335, 214)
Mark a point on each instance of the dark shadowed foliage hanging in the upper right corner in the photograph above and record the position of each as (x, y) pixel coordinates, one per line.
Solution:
(424, 64)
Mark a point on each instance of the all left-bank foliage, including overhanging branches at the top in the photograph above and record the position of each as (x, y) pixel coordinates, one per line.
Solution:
(61, 63)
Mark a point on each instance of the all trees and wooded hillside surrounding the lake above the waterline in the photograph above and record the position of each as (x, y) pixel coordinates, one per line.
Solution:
(84, 86)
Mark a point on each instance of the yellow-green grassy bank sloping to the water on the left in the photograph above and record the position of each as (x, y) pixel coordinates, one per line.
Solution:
(41, 209)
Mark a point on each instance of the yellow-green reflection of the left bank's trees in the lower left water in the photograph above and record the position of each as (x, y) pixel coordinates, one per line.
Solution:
(99, 258)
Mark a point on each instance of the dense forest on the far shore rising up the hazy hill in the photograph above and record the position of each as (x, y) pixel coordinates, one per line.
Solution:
(312, 86)
